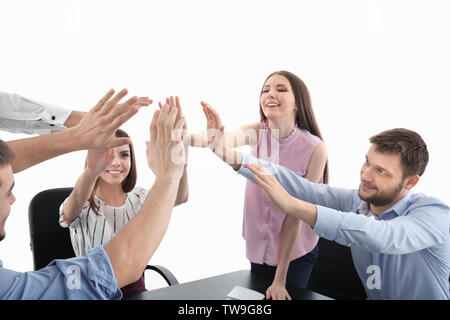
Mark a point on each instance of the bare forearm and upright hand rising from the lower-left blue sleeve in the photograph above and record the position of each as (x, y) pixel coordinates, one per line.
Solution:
(131, 249)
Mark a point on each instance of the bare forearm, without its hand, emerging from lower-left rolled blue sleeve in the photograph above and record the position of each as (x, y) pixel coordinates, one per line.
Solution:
(131, 249)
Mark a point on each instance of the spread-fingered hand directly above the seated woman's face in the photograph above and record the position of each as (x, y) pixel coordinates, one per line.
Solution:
(96, 130)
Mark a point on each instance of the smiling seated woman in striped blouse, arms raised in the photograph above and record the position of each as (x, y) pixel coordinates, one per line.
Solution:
(105, 198)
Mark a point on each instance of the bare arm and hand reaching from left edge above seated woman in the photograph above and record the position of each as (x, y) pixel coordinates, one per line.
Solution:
(94, 131)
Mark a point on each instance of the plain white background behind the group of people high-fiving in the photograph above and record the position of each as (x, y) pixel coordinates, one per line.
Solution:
(369, 65)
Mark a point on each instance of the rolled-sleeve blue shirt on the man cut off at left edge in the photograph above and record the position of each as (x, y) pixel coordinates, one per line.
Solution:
(87, 277)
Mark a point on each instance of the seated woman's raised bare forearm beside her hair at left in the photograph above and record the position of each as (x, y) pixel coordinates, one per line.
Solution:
(79, 196)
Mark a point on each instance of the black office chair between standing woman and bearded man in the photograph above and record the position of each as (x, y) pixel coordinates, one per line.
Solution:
(334, 273)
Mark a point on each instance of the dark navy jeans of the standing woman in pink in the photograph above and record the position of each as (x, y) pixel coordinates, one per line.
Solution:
(299, 269)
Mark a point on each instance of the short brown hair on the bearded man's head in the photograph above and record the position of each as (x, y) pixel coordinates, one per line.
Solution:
(410, 145)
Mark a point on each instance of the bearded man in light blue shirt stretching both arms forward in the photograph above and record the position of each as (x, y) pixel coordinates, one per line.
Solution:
(399, 239)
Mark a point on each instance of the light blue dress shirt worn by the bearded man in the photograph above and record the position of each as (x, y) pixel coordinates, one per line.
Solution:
(402, 254)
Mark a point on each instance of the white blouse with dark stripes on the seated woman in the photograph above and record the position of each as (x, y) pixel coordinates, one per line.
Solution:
(90, 230)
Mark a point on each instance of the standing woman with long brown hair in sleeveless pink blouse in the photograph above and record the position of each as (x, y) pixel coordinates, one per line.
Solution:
(278, 246)
